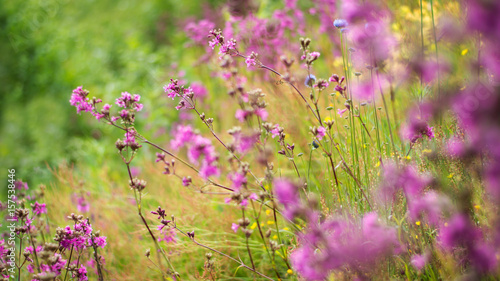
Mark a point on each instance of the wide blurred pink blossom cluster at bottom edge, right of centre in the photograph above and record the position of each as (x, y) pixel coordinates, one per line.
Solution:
(336, 244)
